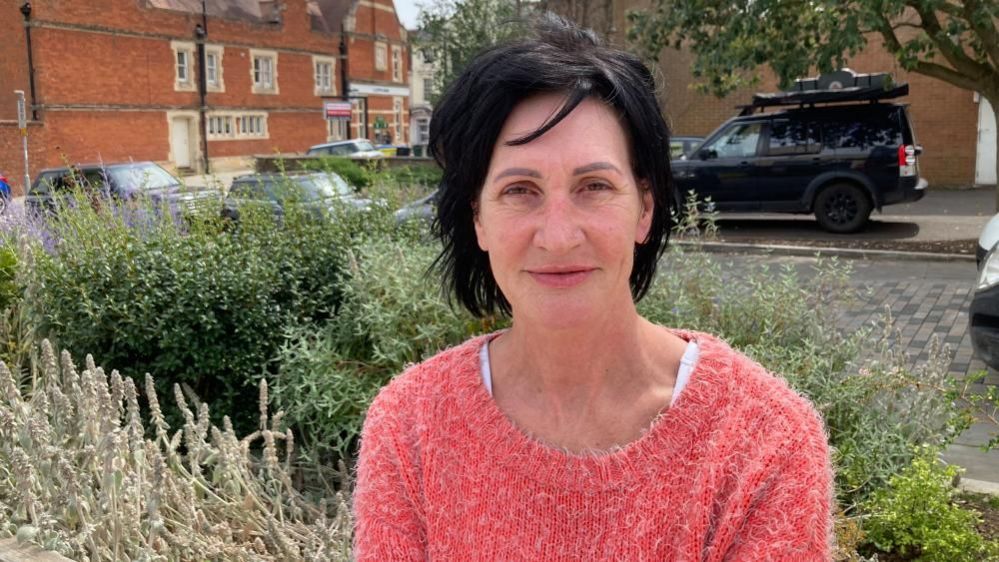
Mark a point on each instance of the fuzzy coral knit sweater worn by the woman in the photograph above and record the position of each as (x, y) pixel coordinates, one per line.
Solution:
(737, 469)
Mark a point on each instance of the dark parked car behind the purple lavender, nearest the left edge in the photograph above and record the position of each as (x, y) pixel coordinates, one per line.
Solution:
(125, 180)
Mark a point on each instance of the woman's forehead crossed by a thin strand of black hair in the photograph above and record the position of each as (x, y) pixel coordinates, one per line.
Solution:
(591, 128)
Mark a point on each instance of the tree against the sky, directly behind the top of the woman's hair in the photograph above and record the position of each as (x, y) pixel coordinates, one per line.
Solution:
(452, 32)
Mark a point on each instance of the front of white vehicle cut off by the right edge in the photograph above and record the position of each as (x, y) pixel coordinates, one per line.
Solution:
(983, 314)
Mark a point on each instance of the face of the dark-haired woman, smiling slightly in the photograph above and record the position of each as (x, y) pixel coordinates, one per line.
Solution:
(560, 215)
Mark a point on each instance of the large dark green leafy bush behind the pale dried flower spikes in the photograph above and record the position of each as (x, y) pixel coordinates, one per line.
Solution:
(195, 303)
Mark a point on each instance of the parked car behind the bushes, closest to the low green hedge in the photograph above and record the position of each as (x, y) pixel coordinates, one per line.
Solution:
(317, 192)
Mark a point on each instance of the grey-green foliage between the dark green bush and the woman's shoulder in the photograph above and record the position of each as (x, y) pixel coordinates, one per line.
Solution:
(393, 314)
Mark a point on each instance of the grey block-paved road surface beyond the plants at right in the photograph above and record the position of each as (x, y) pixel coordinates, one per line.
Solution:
(926, 299)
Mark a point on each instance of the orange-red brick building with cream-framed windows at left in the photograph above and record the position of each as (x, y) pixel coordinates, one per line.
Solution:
(120, 79)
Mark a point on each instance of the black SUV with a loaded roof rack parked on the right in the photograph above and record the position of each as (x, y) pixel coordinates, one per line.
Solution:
(841, 153)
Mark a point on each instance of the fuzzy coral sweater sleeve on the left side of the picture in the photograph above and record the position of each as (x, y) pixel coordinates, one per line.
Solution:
(388, 519)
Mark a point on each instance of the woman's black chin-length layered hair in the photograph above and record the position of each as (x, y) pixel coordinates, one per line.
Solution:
(561, 58)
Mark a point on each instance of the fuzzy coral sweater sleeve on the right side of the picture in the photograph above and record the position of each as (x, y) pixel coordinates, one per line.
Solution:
(788, 517)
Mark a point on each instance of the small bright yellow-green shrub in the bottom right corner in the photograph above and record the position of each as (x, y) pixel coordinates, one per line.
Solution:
(915, 516)
